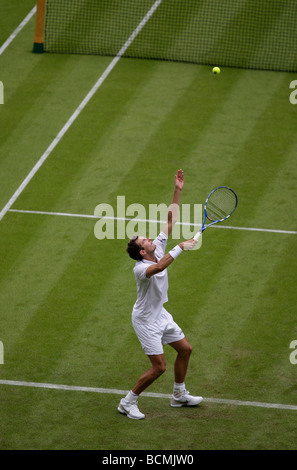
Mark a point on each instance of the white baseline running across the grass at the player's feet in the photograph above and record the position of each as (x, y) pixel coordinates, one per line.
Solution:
(145, 394)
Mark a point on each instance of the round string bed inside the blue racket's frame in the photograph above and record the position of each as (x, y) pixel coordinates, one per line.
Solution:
(221, 204)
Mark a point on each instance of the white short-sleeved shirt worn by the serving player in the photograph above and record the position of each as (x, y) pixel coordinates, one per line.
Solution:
(151, 292)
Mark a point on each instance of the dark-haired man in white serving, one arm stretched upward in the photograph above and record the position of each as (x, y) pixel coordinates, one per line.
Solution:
(153, 325)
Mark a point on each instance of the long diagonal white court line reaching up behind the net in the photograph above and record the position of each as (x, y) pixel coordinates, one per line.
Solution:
(79, 109)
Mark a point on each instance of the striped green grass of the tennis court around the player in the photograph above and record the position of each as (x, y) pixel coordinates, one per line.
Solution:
(66, 297)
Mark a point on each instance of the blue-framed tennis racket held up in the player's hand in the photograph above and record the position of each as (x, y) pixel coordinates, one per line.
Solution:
(219, 205)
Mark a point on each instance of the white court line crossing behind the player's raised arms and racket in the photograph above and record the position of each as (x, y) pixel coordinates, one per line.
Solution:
(88, 216)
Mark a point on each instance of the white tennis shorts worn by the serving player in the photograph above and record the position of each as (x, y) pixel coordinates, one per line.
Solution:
(152, 335)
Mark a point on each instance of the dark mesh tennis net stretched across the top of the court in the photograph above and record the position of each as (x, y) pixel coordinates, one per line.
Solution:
(256, 34)
